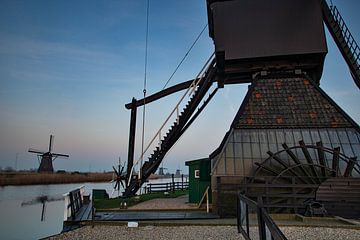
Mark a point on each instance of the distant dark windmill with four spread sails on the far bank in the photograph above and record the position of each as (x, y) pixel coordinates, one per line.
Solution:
(47, 157)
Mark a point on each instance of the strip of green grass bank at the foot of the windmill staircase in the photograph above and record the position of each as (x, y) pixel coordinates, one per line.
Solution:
(103, 204)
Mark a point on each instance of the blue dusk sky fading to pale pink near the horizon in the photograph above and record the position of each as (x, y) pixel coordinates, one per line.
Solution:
(68, 68)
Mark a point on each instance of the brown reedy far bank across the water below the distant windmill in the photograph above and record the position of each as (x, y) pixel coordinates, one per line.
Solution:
(33, 178)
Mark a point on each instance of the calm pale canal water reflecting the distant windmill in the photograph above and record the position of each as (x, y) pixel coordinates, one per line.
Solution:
(17, 222)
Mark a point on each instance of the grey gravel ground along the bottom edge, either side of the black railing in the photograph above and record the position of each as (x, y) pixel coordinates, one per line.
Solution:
(201, 232)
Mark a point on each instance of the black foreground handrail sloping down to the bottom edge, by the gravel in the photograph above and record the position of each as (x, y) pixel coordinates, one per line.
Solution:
(254, 222)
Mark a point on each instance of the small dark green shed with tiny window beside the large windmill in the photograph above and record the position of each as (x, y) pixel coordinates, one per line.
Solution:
(199, 179)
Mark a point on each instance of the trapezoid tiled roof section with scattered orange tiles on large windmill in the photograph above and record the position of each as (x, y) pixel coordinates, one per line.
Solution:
(291, 102)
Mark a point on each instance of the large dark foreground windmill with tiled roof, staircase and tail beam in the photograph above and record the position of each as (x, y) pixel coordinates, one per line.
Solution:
(289, 138)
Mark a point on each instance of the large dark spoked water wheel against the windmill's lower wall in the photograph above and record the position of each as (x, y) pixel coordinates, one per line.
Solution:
(289, 178)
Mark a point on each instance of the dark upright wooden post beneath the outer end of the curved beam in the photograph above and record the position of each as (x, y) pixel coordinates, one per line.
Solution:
(131, 139)
